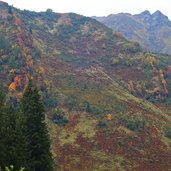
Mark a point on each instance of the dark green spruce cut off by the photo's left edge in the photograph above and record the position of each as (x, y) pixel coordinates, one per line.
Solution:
(8, 153)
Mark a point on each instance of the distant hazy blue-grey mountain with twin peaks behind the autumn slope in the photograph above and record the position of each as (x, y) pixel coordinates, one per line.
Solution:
(152, 31)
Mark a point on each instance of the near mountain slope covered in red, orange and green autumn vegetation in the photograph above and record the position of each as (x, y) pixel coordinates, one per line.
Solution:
(87, 75)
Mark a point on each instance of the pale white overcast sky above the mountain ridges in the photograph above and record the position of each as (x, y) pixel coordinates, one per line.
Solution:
(95, 7)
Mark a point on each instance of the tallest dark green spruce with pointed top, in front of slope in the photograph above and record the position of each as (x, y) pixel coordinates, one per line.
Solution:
(35, 130)
